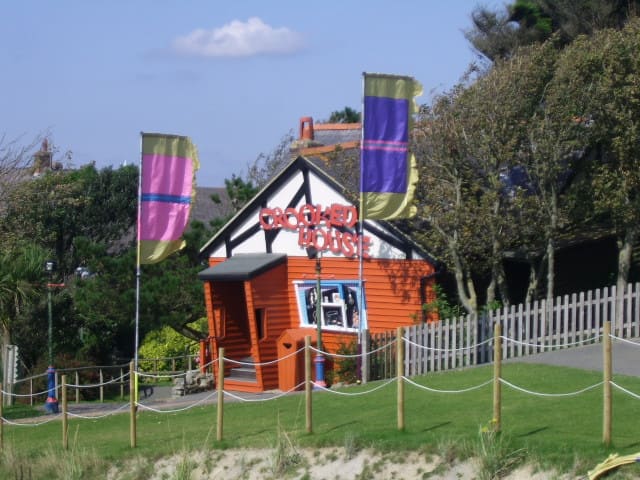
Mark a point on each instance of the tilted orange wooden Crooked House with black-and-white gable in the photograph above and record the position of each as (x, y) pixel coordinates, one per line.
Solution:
(261, 286)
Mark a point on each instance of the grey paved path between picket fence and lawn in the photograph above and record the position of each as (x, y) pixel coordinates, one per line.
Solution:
(625, 357)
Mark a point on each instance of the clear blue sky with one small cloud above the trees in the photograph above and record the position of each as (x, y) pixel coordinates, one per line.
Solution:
(235, 76)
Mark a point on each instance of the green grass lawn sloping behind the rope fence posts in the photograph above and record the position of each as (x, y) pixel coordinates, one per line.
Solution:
(554, 431)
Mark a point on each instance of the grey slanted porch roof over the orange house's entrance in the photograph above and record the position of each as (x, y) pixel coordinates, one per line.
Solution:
(243, 266)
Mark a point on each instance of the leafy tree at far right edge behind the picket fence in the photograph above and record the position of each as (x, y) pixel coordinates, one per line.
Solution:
(601, 76)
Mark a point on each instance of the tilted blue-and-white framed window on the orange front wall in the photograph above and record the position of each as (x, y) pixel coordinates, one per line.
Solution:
(340, 302)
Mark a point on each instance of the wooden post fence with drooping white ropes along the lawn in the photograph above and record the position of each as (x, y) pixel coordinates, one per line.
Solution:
(310, 387)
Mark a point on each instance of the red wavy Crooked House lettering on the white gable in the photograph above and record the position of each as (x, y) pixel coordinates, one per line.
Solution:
(324, 229)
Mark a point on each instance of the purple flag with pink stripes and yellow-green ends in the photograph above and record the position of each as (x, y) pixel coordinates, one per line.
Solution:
(388, 171)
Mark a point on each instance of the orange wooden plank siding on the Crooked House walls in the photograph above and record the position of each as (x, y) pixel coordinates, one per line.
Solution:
(392, 289)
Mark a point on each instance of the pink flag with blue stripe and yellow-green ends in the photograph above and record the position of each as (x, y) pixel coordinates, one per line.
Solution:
(167, 190)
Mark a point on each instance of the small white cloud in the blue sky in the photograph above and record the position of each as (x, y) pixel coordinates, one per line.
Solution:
(238, 39)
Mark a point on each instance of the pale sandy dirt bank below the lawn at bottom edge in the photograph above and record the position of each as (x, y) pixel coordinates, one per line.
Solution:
(322, 464)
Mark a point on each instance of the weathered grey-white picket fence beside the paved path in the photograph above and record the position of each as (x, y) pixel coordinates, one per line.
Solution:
(568, 321)
